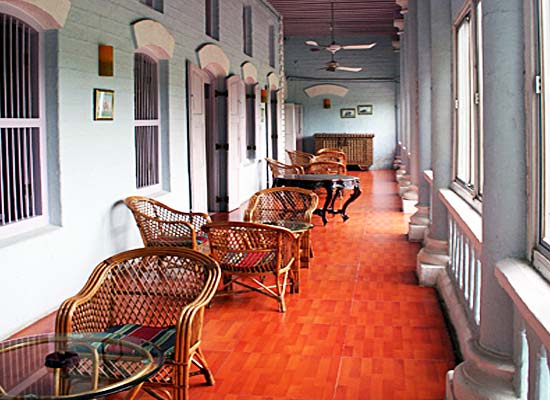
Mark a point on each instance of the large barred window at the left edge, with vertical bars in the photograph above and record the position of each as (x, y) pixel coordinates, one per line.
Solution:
(22, 153)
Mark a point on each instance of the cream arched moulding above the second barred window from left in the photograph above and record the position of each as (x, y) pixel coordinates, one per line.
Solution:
(155, 38)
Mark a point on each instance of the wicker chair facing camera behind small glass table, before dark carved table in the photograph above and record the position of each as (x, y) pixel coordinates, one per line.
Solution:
(290, 204)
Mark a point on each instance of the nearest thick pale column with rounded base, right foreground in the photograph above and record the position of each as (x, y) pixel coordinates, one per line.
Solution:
(504, 216)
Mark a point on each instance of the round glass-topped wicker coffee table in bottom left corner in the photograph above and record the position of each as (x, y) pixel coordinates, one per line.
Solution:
(75, 366)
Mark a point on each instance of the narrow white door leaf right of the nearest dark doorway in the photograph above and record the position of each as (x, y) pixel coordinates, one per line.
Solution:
(236, 138)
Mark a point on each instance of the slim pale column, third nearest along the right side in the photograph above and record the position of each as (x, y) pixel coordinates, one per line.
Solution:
(419, 222)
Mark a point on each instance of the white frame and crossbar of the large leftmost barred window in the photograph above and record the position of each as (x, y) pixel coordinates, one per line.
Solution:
(41, 220)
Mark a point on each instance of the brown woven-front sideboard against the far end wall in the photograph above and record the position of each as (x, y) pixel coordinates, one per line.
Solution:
(357, 146)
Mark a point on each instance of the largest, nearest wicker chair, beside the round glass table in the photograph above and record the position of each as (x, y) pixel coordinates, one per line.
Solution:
(163, 289)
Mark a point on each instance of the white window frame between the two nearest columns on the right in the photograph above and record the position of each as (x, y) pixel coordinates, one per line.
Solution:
(471, 193)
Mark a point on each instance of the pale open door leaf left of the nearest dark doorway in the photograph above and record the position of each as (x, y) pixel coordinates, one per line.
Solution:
(197, 138)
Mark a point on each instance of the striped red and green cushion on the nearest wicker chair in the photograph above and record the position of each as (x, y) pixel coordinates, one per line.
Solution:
(163, 338)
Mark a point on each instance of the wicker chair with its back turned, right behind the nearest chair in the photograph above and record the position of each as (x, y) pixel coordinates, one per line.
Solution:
(248, 253)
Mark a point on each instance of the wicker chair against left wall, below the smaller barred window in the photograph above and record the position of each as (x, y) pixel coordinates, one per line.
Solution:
(160, 225)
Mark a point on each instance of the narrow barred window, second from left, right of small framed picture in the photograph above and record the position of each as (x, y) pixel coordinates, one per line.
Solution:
(147, 121)
